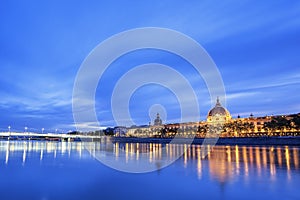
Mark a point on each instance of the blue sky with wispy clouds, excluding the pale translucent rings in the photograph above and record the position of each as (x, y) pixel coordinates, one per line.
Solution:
(255, 45)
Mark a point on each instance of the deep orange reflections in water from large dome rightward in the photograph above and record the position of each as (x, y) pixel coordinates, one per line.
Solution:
(227, 162)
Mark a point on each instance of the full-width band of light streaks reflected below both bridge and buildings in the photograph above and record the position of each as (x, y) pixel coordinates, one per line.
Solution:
(224, 162)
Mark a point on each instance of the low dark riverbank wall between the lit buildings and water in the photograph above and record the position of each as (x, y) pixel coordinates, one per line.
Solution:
(294, 141)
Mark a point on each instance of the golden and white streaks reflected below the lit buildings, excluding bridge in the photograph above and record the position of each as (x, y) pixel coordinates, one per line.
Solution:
(224, 162)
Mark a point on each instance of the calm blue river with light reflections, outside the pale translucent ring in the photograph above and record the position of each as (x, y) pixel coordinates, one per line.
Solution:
(61, 170)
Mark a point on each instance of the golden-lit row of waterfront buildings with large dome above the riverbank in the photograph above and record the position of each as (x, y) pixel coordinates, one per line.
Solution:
(226, 126)
